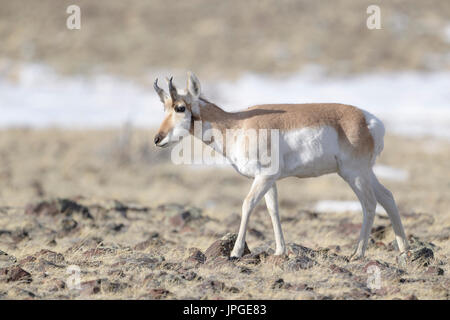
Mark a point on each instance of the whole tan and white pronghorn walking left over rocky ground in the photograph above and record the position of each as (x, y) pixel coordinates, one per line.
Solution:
(314, 139)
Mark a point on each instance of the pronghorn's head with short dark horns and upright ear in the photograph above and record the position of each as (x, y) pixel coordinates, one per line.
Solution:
(180, 107)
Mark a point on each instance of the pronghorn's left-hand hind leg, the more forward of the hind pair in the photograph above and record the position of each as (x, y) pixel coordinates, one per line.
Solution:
(360, 184)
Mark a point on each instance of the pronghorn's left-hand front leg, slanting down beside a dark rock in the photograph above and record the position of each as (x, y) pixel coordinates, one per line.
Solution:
(259, 187)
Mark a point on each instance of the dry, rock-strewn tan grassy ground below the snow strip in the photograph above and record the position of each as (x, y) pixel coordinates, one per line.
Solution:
(138, 226)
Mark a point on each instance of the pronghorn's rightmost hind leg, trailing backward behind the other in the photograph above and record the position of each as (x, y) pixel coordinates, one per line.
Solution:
(385, 198)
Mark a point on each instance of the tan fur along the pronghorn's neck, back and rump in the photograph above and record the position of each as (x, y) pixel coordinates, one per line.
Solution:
(348, 121)
